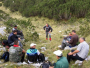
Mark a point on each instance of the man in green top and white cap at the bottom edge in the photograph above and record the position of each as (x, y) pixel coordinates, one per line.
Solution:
(61, 62)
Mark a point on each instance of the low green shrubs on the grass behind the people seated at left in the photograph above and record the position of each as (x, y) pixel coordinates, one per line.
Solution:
(27, 25)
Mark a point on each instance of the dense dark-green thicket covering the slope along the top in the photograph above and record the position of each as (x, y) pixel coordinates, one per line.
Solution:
(56, 9)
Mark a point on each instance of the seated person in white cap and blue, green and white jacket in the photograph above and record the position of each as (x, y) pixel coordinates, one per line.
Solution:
(32, 53)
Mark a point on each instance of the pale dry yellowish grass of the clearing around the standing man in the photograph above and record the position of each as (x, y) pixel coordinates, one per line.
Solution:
(56, 36)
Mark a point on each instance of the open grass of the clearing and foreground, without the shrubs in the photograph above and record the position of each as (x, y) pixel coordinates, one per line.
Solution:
(57, 37)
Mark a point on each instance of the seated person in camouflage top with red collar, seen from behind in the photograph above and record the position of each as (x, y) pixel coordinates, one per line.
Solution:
(16, 53)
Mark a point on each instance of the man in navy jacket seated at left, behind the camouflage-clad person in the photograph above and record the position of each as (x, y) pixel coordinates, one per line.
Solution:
(12, 37)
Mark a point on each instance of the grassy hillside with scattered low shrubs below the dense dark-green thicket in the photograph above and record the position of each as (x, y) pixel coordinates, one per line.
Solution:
(60, 28)
